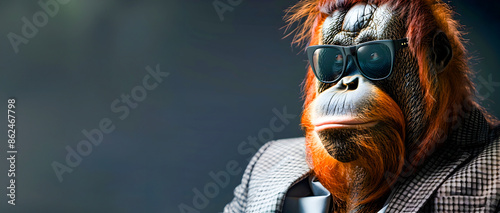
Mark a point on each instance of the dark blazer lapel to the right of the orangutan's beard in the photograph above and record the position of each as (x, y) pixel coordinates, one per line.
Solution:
(411, 192)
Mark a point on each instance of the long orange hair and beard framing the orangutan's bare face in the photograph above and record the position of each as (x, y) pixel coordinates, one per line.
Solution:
(445, 94)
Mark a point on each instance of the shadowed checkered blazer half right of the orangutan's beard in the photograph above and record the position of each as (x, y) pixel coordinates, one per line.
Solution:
(462, 176)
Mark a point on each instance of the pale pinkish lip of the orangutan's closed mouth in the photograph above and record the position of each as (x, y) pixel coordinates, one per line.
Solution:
(336, 122)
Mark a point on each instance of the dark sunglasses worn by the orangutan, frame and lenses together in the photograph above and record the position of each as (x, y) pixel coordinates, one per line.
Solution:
(375, 59)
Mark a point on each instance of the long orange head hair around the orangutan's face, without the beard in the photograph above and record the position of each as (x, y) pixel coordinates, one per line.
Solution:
(443, 93)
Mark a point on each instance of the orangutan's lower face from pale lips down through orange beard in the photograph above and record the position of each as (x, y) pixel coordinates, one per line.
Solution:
(356, 150)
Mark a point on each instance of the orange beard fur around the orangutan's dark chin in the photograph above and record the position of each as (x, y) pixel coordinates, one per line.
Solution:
(382, 153)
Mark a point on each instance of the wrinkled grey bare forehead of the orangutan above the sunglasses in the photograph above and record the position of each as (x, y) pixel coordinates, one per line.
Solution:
(360, 23)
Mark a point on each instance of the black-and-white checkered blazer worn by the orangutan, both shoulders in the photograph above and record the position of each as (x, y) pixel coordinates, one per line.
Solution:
(462, 176)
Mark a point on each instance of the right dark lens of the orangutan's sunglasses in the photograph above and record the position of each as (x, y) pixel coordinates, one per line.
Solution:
(375, 60)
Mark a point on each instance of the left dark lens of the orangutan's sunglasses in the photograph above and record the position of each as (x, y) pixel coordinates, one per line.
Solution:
(328, 64)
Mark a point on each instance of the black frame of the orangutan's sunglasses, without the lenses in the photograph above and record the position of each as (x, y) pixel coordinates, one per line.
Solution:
(346, 51)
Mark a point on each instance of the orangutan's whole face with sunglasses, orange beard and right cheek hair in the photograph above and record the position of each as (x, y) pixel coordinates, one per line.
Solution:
(371, 99)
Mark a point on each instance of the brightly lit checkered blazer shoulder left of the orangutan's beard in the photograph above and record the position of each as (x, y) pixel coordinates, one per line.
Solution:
(276, 167)
